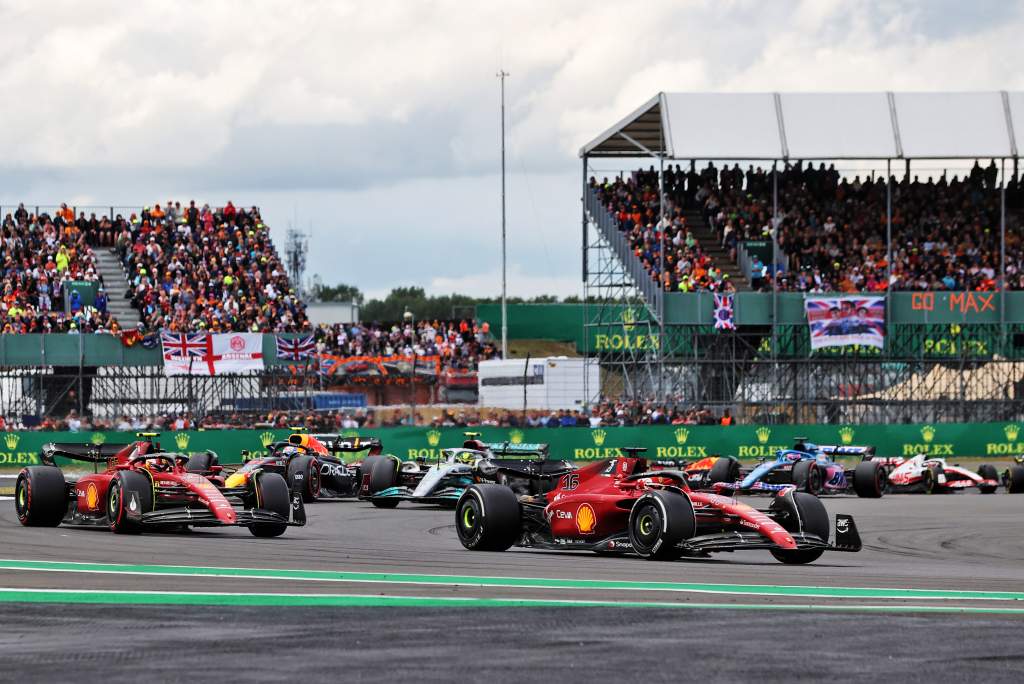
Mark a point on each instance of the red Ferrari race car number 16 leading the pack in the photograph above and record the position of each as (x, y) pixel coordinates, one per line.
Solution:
(620, 506)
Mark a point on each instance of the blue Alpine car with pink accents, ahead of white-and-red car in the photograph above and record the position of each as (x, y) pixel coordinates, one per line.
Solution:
(813, 468)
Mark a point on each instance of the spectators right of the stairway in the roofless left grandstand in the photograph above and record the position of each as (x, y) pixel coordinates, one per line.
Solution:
(202, 269)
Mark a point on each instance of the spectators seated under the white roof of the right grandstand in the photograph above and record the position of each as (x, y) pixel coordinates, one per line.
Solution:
(831, 229)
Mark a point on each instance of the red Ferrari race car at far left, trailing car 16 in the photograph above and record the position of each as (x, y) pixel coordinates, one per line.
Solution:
(143, 488)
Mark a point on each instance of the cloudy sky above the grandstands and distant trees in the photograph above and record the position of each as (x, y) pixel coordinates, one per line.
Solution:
(376, 124)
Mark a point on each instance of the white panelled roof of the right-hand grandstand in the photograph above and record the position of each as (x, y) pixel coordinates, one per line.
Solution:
(826, 126)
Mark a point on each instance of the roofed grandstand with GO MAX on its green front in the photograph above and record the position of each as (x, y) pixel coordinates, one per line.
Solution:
(803, 220)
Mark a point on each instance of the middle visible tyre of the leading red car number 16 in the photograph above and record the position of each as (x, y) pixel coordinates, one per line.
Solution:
(659, 522)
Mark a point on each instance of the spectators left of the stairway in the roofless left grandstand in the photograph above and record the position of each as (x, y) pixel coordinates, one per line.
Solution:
(41, 256)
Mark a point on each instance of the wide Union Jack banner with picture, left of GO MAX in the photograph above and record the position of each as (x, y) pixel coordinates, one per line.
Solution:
(840, 322)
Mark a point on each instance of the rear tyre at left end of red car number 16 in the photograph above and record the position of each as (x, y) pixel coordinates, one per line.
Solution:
(488, 519)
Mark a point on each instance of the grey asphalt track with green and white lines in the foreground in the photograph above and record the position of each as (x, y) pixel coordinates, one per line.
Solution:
(367, 595)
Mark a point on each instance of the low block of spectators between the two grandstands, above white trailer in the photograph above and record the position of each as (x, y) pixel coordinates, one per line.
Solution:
(461, 345)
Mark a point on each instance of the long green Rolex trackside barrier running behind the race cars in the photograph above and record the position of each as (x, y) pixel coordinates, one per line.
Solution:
(999, 442)
